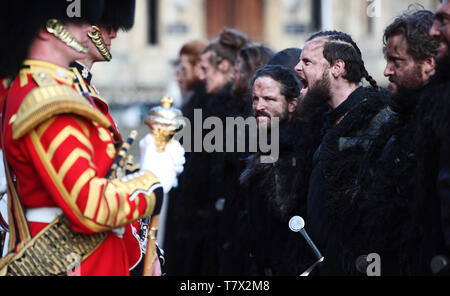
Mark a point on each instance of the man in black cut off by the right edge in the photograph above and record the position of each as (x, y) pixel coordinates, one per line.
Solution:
(431, 213)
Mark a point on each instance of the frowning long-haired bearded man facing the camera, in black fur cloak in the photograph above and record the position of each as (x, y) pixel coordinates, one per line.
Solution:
(275, 191)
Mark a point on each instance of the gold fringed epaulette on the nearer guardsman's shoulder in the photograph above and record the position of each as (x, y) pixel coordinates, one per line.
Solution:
(48, 100)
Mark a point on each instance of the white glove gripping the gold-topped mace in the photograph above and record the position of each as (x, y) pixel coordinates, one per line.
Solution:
(164, 165)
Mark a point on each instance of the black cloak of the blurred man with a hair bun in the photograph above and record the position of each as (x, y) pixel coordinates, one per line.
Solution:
(188, 209)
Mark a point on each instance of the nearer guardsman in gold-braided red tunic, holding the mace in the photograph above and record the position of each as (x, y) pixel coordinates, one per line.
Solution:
(59, 148)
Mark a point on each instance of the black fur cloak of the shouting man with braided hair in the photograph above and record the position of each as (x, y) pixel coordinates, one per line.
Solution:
(348, 151)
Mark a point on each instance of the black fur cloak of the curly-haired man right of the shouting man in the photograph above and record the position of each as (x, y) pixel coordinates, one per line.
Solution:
(380, 215)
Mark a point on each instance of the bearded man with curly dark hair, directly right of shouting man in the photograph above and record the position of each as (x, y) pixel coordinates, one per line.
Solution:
(379, 217)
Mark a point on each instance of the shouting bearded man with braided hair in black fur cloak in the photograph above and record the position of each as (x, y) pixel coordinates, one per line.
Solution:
(331, 69)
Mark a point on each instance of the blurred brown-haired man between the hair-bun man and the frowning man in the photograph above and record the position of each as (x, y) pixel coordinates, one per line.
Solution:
(231, 257)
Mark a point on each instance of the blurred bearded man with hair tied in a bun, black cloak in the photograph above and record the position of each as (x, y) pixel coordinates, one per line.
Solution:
(192, 246)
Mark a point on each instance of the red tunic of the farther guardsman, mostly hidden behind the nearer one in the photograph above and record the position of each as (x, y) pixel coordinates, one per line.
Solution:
(83, 85)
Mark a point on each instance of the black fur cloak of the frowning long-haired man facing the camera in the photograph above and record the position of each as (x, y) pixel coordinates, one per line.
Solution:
(273, 193)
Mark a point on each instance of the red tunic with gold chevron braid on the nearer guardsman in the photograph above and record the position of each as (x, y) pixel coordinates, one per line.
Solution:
(60, 149)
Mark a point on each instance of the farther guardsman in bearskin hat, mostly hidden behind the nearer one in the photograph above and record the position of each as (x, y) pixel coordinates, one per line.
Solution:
(117, 15)
